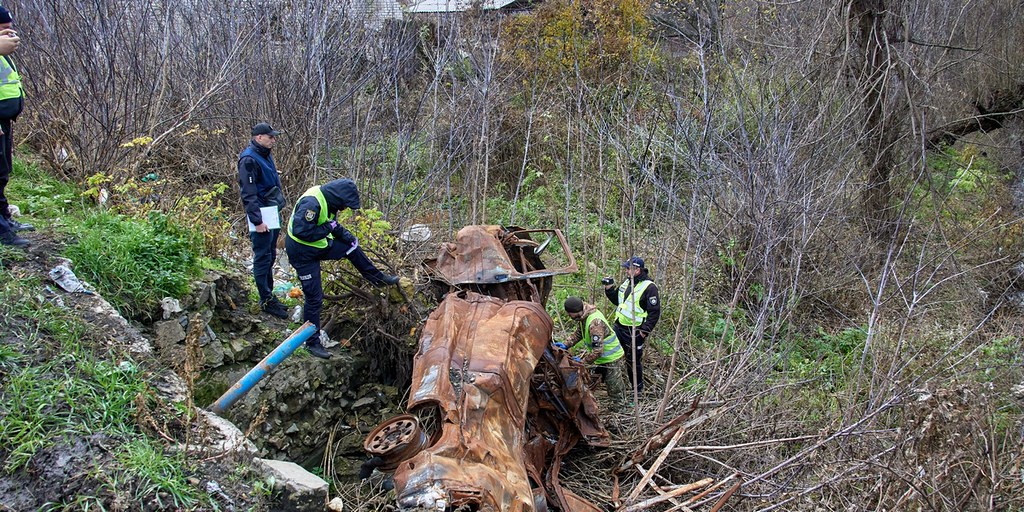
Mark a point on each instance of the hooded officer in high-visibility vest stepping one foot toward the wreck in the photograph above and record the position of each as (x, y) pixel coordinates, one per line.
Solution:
(314, 236)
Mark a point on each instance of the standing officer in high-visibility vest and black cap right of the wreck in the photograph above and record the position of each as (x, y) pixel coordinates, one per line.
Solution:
(637, 311)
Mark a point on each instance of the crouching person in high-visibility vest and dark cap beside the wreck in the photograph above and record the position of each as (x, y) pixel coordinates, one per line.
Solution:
(596, 344)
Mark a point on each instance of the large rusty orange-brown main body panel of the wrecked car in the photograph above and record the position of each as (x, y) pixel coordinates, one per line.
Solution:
(477, 358)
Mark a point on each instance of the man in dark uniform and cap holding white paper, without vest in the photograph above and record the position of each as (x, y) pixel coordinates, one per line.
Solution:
(261, 188)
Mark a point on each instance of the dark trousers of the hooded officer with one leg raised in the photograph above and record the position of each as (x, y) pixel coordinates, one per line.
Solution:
(307, 261)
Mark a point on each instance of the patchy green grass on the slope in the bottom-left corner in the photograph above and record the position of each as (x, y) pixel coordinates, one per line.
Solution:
(70, 388)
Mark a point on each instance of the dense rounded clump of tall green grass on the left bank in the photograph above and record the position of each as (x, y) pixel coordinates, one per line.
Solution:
(135, 264)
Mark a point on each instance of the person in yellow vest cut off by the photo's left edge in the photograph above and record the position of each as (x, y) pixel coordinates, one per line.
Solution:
(12, 102)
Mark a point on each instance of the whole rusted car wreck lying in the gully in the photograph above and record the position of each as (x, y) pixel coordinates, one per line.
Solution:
(503, 406)
